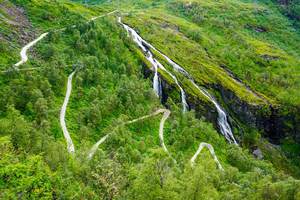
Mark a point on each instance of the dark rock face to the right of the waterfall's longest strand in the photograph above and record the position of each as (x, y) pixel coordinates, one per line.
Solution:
(274, 122)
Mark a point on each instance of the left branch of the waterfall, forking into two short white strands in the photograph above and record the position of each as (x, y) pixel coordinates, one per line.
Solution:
(155, 63)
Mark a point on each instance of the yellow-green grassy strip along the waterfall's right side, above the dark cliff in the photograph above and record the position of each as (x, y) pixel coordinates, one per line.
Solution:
(192, 57)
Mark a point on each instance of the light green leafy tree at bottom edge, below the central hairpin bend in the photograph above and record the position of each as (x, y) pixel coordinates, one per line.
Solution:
(154, 178)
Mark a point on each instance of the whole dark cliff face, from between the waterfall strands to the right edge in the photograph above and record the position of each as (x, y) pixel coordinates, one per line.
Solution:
(272, 121)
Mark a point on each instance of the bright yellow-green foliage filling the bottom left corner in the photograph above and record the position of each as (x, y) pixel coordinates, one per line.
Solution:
(28, 178)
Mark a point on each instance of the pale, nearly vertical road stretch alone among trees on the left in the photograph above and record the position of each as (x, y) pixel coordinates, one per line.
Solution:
(71, 148)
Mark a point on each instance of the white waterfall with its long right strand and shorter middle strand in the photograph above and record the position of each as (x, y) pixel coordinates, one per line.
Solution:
(222, 116)
